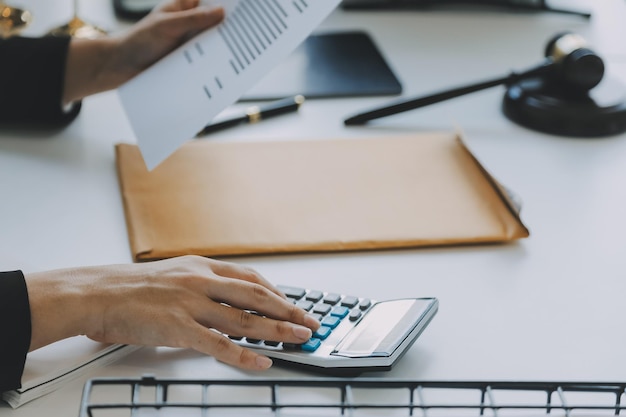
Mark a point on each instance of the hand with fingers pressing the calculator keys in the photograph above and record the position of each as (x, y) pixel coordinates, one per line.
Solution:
(180, 302)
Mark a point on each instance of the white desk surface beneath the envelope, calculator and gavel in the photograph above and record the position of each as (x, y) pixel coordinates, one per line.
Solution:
(550, 307)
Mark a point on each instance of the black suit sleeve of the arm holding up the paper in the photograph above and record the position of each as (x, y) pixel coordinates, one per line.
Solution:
(32, 74)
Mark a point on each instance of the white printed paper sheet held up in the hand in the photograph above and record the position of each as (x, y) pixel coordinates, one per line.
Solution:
(175, 98)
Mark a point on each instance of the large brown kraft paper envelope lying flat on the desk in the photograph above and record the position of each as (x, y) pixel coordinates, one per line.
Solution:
(236, 198)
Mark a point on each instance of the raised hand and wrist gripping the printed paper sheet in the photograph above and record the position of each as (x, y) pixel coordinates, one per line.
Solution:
(96, 65)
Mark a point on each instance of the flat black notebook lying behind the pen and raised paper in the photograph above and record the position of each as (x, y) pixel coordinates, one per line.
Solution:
(339, 64)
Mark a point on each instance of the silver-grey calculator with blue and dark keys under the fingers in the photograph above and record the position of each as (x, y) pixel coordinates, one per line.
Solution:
(356, 334)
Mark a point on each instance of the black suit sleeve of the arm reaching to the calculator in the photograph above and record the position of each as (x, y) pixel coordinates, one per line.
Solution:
(15, 329)
